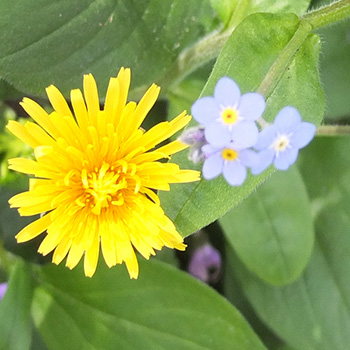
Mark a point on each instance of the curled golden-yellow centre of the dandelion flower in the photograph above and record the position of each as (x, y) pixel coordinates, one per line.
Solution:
(102, 188)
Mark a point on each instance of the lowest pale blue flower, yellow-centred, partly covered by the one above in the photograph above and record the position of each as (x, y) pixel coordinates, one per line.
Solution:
(229, 161)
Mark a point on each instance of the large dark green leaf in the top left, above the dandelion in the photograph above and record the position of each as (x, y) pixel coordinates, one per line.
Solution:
(62, 40)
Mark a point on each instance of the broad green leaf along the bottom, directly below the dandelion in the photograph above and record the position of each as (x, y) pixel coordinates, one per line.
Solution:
(163, 309)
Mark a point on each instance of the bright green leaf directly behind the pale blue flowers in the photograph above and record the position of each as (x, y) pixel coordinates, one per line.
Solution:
(294, 82)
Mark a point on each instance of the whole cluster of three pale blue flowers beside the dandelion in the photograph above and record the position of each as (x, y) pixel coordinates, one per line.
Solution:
(232, 141)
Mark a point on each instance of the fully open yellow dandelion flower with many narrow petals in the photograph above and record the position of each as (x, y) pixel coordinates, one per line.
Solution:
(95, 172)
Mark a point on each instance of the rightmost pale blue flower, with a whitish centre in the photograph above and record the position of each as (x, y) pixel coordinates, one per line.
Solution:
(280, 143)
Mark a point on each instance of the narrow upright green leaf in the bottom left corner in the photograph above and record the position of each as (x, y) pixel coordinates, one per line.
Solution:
(15, 324)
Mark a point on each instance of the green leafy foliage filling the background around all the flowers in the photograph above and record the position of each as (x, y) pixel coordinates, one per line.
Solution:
(284, 237)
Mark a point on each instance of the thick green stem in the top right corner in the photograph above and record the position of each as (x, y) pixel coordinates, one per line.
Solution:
(332, 13)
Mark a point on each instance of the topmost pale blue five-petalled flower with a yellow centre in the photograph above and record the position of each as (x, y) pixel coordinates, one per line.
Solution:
(229, 116)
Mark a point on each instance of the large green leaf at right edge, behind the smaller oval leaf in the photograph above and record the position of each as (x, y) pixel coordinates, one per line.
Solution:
(313, 313)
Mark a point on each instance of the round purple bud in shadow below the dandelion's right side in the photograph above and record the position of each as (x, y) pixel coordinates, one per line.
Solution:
(205, 264)
